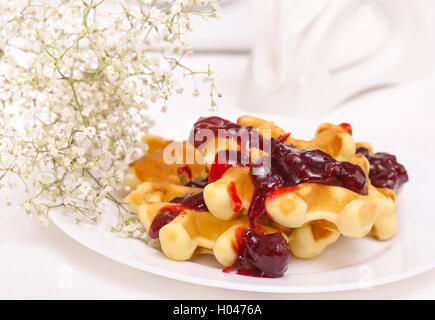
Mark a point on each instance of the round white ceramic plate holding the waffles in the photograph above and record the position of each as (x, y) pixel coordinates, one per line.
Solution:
(347, 264)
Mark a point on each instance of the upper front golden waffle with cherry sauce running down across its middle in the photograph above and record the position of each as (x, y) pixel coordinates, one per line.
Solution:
(352, 214)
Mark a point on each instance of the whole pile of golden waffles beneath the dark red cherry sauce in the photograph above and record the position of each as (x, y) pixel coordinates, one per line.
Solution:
(308, 216)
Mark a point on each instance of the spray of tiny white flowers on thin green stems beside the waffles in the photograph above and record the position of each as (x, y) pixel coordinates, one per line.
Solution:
(76, 79)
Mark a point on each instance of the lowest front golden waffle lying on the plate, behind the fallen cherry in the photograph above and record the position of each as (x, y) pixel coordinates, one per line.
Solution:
(195, 232)
